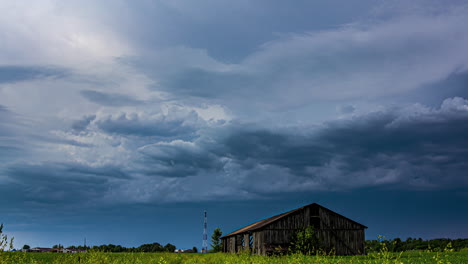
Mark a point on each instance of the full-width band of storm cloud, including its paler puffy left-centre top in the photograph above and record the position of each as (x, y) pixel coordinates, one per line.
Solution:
(413, 147)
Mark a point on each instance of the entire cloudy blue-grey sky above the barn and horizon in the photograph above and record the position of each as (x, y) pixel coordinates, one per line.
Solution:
(122, 121)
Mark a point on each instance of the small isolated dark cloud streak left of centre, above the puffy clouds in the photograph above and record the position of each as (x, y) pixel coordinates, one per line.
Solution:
(110, 99)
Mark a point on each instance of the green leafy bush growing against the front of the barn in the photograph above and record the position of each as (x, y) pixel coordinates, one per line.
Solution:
(305, 241)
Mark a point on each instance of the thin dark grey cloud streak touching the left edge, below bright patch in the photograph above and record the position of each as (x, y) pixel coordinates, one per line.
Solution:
(9, 74)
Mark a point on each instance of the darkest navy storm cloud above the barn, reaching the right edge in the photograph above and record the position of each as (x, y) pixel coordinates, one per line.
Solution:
(413, 147)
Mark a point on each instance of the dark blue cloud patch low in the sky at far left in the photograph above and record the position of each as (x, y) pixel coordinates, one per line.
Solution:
(57, 183)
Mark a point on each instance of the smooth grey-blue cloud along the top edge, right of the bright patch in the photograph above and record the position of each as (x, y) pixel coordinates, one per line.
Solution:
(192, 24)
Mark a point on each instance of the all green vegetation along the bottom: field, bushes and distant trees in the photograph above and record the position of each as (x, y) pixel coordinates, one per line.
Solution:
(381, 253)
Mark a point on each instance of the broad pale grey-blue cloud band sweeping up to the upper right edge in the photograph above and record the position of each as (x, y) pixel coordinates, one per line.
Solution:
(371, 60)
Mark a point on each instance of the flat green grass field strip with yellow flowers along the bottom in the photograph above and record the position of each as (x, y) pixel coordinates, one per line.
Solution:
(169, 258)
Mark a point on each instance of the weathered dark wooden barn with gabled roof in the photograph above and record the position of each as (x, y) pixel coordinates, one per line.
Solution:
(334, 231)
